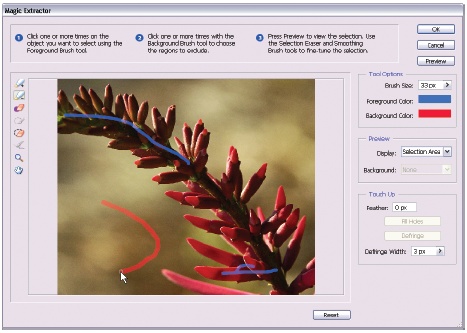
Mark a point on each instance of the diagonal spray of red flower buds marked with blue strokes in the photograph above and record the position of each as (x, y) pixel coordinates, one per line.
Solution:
(256, 239)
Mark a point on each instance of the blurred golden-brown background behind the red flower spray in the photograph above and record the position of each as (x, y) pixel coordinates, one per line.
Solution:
(268, 121)
